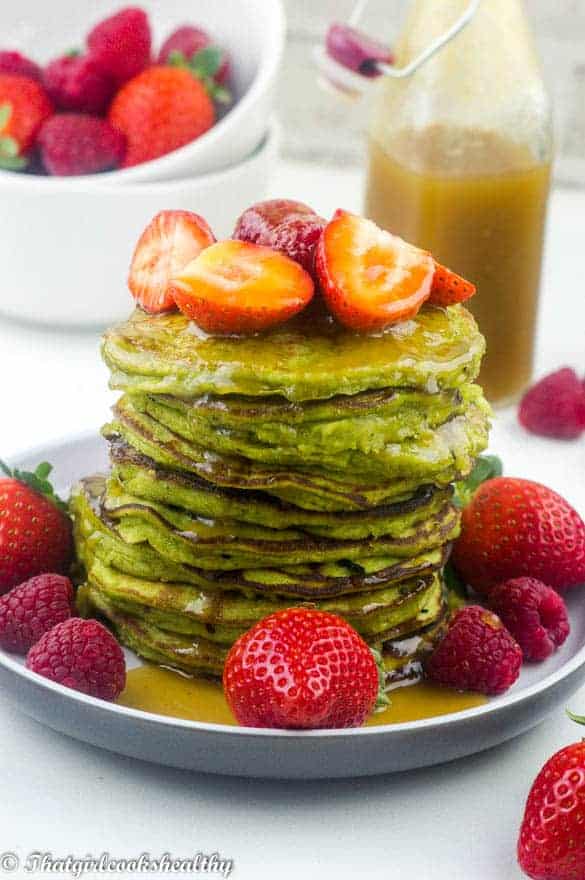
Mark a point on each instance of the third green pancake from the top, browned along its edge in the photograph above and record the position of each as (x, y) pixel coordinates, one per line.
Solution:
(398, 470)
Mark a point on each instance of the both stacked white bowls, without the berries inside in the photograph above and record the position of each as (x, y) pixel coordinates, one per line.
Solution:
(66, 242)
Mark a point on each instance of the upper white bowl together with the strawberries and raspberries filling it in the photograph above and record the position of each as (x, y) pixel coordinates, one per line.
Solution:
(142, 94)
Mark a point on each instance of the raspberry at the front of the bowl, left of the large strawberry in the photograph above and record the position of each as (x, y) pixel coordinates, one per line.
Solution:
(72, 143)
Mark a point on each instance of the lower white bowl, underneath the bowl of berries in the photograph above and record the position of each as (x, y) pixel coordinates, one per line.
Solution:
(65, 251)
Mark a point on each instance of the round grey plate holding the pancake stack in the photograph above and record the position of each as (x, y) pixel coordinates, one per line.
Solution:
(255, 752)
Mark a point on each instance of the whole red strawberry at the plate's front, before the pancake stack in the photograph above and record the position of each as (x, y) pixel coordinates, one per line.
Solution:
(301, 669)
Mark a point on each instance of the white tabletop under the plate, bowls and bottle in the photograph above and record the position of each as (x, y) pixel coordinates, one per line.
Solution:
(455, 822)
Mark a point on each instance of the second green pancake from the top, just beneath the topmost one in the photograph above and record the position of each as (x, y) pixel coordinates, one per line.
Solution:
(372, 446)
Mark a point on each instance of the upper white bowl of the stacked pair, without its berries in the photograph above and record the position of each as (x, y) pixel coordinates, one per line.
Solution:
(251, 30)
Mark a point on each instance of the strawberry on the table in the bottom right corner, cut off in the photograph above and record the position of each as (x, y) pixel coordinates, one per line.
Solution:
(551, 845)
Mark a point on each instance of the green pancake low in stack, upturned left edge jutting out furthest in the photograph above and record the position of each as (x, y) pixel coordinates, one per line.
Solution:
(96, 539)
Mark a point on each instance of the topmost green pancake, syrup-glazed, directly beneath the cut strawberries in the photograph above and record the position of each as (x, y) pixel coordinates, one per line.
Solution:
(309, 358)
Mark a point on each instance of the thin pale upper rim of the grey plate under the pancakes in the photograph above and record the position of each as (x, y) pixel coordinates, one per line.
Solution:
(499, 704)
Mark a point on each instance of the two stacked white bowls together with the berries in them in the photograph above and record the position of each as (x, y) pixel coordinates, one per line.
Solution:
(108, 115)
